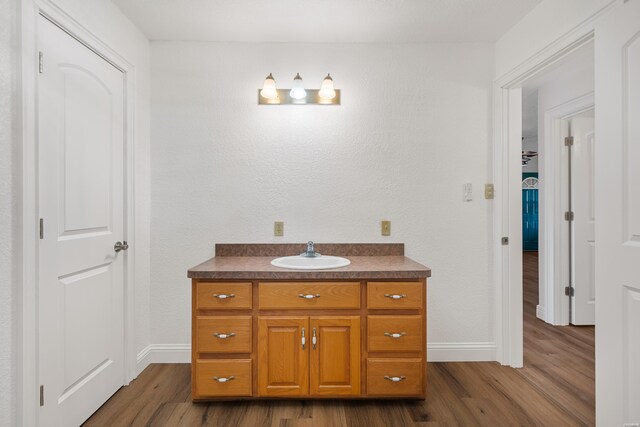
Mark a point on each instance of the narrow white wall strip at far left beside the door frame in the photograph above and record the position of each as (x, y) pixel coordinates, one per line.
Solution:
(8, 213)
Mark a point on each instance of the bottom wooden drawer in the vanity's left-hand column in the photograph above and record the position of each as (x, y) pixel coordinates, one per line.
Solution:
(207, 385)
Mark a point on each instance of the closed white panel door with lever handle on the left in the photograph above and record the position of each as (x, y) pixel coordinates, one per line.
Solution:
(81, 202)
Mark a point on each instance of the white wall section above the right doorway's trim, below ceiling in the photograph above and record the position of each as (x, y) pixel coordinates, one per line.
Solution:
(543, 26)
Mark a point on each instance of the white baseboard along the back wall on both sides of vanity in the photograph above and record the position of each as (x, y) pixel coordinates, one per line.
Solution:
(436, 352)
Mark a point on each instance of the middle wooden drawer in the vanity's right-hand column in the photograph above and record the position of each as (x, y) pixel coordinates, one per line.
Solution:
(395, 333)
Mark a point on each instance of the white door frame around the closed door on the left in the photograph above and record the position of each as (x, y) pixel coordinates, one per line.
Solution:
(27, 360)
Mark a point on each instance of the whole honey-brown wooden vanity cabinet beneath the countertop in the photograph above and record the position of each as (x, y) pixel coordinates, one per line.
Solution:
(308, 338)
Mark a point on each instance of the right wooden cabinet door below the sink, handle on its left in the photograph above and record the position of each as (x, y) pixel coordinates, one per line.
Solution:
(335, 358)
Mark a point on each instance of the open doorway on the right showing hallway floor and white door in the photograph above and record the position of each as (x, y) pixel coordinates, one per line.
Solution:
(558, 149)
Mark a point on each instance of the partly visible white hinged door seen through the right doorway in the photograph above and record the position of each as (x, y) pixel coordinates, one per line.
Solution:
(583, 301)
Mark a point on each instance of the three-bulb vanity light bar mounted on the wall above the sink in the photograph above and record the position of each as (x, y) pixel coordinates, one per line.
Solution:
(298, 95)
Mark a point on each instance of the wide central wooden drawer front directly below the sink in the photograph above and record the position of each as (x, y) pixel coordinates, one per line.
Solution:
(294, 295)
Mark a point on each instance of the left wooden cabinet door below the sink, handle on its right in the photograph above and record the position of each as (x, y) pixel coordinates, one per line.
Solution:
(283, 363)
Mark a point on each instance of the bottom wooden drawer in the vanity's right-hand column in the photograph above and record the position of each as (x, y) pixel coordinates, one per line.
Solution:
(395, 377)
